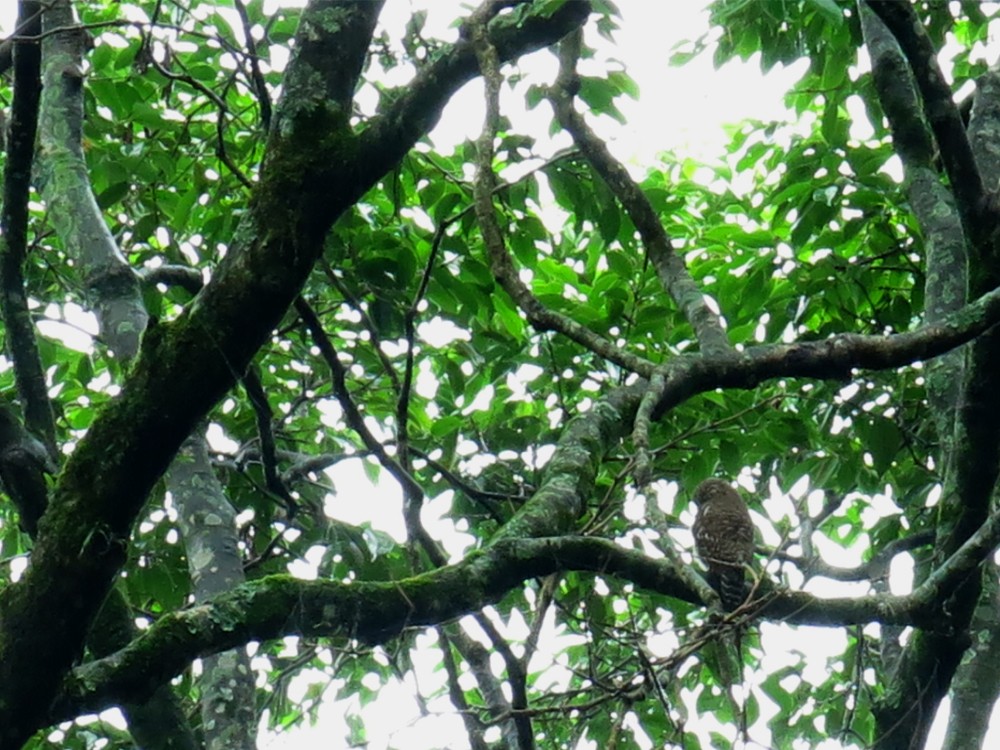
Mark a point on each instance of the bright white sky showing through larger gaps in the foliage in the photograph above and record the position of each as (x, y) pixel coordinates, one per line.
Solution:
(679, 110)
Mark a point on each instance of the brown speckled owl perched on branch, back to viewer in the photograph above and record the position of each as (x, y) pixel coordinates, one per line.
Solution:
(723, 536)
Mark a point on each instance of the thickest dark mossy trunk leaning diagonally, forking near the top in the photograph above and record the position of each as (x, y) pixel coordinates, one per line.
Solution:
(314, 170)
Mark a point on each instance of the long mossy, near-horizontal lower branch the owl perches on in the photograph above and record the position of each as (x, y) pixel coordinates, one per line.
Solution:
(375, 612)
